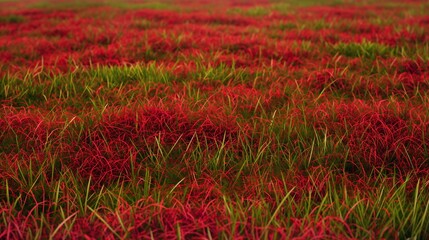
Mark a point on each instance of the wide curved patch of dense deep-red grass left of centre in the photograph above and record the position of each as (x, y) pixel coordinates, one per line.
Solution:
(109, 149)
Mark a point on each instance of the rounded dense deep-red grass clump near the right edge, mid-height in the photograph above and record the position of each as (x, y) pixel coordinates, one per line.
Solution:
(384, 140)
